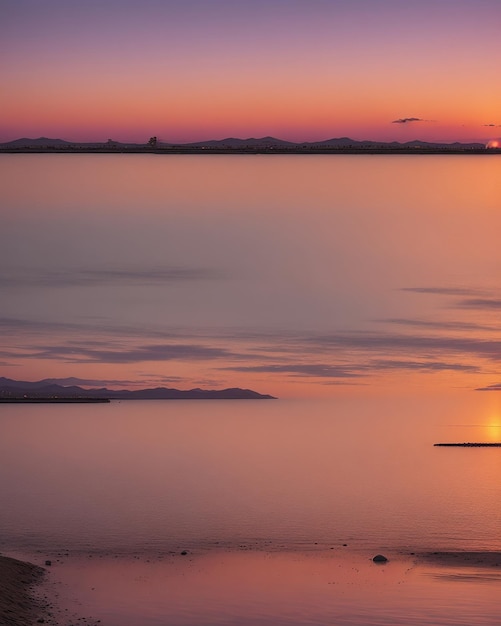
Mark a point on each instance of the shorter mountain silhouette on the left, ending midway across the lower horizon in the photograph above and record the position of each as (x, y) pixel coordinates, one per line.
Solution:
(51, 388)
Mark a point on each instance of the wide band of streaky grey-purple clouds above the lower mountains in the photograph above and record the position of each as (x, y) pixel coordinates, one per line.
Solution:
(337, 356)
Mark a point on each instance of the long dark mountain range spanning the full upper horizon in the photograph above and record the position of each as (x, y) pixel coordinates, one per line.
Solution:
(263, 144)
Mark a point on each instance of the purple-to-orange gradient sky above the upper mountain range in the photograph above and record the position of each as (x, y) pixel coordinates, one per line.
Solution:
(299, 70)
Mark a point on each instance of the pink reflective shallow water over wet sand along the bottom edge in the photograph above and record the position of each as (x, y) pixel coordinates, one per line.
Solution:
(275, 588)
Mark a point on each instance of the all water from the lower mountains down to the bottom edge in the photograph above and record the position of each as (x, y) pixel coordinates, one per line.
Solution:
(279, 506)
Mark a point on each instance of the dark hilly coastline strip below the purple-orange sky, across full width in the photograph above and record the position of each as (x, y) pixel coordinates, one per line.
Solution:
(264, 145)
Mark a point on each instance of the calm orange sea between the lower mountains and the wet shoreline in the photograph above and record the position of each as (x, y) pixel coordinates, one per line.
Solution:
(161, 475)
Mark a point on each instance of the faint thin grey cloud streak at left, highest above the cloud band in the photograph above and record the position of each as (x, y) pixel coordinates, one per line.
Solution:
(107, 277)
